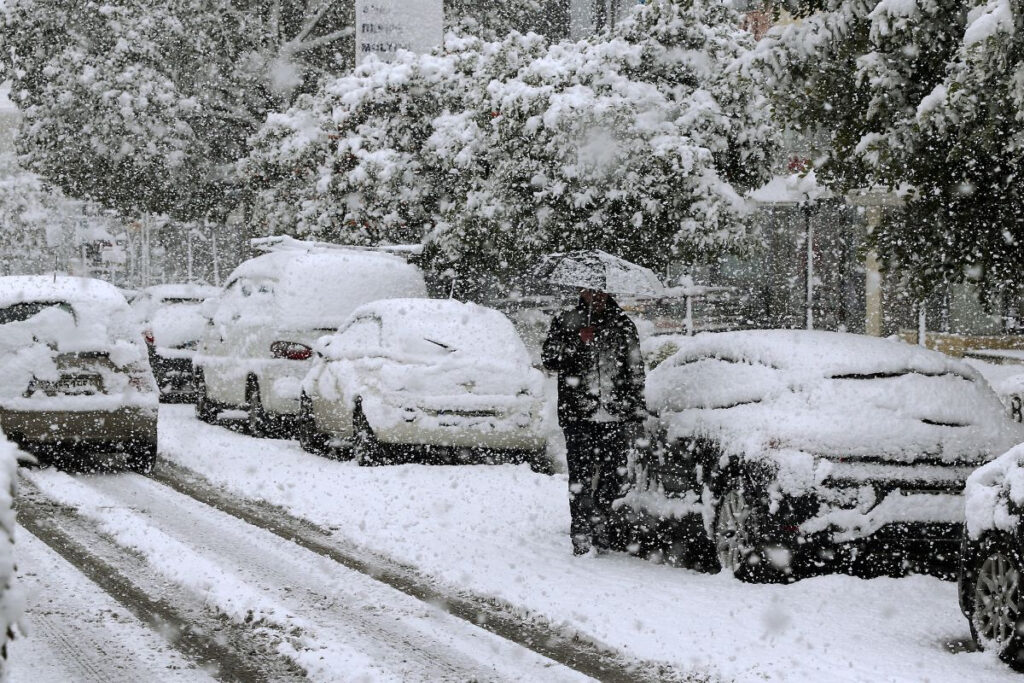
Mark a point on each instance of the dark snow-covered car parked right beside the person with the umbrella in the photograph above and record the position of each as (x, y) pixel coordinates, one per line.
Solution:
(796, 448)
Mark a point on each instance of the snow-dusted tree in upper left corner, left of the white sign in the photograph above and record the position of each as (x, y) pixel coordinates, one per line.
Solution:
(144, 106)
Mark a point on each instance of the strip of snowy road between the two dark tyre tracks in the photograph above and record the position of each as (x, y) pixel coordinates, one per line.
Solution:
(335, 623)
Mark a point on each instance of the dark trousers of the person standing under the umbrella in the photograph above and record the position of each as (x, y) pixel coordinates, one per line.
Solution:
(596, 454)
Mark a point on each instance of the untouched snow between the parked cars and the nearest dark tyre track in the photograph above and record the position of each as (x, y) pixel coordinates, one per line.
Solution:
(503, 532)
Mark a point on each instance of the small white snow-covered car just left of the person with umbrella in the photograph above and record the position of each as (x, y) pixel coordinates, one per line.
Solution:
(434, 380)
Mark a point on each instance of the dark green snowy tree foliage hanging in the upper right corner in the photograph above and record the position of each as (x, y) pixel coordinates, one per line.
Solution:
(921, 96)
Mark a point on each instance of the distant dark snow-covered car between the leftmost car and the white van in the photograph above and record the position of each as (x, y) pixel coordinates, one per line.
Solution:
(174, 323)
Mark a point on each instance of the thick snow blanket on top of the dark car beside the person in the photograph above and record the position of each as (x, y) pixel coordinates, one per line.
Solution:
(830, 395)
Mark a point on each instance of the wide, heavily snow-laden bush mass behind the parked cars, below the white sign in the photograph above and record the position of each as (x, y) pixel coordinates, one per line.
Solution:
(638, 142)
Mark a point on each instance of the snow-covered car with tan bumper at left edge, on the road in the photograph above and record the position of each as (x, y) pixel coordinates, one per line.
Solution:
(74, 370)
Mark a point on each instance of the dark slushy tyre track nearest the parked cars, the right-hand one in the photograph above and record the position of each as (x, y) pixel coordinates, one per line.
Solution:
(505, 621)
